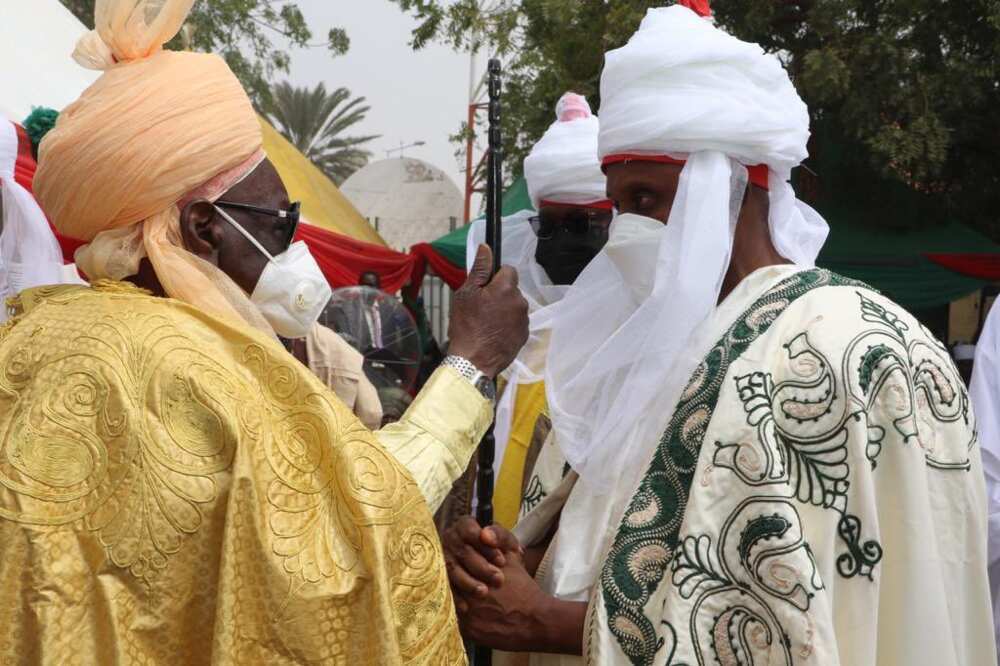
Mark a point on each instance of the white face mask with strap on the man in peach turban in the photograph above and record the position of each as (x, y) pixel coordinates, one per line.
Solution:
(292, 291)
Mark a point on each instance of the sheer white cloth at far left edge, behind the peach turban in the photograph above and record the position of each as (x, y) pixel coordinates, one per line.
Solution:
(29, 253)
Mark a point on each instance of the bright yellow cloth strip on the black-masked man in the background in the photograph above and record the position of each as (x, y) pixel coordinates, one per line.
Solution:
(529, 404)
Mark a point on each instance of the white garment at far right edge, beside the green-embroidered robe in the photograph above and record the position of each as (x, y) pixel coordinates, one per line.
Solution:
(984, 390)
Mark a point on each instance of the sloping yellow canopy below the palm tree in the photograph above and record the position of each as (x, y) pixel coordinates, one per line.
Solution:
(322, 203)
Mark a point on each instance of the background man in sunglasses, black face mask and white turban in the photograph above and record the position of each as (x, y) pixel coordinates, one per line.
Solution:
(549, 248)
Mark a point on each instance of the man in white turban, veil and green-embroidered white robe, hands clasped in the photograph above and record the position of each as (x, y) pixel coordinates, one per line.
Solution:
(771, 464)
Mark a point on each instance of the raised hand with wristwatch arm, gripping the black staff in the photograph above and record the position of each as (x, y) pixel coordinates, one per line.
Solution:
(489, 318)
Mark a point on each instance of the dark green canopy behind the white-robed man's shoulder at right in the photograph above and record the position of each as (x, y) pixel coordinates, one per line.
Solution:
(894, 261)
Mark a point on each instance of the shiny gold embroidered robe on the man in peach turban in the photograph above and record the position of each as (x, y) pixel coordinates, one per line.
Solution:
(177, 490)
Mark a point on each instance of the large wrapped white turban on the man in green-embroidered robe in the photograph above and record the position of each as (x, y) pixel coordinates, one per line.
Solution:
(681, 85)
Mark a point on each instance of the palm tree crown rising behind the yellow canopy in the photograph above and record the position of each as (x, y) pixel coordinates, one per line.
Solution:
(315, 121)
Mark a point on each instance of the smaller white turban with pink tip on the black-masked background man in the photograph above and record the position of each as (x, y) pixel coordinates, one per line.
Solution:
(563, 167)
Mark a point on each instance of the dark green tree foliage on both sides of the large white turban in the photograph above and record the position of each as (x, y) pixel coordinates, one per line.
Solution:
(902, 93)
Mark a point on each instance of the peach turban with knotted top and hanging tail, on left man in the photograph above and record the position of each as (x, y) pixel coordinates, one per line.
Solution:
(156, 126)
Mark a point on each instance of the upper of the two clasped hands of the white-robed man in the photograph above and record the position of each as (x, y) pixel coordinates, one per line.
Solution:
(475, 556)
